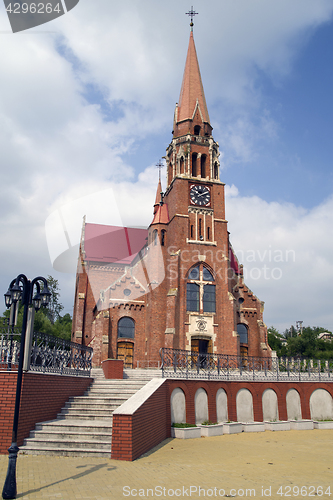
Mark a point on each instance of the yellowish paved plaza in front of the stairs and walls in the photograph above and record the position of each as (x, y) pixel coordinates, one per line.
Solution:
(239, 465)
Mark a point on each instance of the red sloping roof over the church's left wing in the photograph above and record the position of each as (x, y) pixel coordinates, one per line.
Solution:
(113, 243)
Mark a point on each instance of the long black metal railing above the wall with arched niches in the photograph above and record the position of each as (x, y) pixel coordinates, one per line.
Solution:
(177, 363)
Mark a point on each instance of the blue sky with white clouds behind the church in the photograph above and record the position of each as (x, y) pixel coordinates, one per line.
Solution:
(86, 112)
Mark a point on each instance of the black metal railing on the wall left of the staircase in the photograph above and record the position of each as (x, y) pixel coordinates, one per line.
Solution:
(48, 354)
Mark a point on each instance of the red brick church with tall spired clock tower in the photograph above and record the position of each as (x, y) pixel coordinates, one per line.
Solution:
(177, 284)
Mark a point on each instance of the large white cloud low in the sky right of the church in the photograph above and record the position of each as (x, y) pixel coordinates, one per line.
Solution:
(286, 252)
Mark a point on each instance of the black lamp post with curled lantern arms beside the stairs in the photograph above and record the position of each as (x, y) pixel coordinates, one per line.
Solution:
(21, 289)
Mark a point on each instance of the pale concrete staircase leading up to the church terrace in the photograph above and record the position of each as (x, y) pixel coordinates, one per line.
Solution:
(84, 426)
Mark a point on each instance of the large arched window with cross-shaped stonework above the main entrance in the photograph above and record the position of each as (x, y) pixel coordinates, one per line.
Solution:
(201, 290)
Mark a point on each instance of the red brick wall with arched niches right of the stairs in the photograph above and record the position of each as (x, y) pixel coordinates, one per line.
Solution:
(136, 432)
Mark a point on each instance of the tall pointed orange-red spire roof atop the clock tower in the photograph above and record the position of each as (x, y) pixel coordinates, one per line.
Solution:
(192, 91)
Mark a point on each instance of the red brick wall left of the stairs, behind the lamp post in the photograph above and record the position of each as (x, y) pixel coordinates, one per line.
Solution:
(42, 397)
